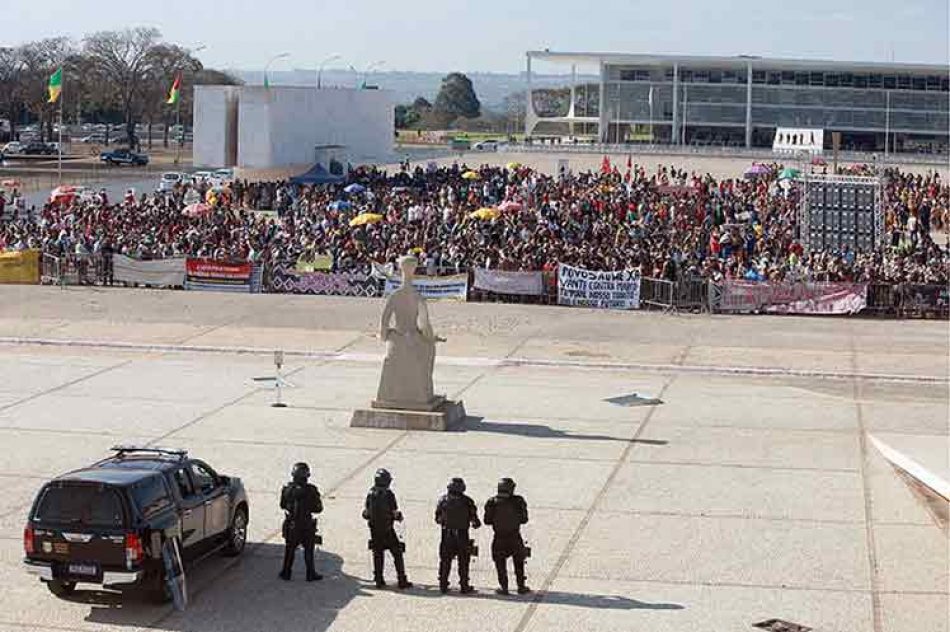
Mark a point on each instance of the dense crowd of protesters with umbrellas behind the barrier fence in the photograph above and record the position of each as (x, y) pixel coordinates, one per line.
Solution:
(666, 222)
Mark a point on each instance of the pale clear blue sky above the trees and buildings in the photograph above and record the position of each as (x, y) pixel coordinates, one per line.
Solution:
(492, 35)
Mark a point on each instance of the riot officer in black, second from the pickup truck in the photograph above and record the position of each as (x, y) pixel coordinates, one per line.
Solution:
(380, 512)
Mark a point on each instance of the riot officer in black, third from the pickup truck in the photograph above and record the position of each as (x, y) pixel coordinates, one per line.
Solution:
(455, 513)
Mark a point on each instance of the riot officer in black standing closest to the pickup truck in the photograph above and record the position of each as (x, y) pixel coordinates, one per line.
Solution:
(300, 500)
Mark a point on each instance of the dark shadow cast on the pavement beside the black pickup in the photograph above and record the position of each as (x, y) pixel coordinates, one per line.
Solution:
(243, 594)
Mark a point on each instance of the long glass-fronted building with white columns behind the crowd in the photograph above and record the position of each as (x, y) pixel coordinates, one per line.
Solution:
(740, 101)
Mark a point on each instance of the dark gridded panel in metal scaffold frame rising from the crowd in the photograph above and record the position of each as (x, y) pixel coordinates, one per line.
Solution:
(841, 212)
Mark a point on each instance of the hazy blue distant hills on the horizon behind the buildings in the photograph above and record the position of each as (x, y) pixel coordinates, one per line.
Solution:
(491, 88)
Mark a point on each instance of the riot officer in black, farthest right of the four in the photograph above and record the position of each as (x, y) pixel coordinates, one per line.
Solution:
(506, 512)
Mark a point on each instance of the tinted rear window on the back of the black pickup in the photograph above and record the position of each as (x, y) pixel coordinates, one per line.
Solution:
(90, 505)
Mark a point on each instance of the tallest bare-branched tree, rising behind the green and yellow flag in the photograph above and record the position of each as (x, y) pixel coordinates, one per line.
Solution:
(125, 60)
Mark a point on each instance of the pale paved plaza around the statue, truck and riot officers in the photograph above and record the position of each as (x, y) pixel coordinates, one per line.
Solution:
(750, 490)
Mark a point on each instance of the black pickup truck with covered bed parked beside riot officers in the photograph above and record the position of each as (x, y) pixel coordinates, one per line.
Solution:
(111, 522)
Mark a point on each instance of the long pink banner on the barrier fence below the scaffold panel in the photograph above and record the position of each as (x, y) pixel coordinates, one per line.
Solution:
(793, 298)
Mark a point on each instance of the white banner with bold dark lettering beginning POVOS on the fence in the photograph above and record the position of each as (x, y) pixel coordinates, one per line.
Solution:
(618, 289)
